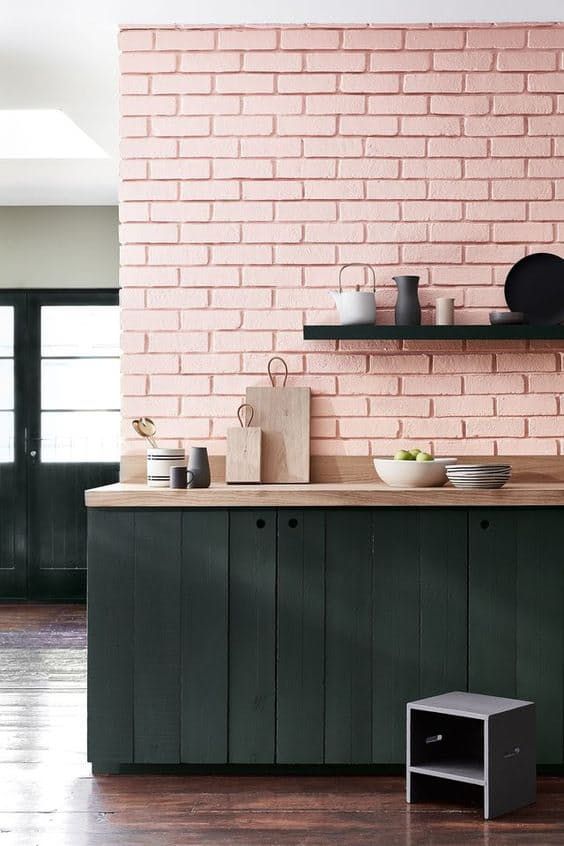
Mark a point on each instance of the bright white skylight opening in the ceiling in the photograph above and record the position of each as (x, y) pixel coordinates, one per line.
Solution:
(44, 134)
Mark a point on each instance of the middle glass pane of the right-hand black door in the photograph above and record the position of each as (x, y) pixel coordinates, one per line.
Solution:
(80, 383)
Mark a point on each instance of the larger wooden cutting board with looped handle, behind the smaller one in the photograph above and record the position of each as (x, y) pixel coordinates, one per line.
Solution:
(283, 414)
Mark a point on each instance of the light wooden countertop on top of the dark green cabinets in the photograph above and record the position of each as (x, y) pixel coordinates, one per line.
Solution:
(136, 495)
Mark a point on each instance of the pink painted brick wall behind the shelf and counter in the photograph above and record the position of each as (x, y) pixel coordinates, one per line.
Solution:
(256, 160)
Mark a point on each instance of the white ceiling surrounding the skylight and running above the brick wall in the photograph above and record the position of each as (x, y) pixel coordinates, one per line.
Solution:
(63, 55)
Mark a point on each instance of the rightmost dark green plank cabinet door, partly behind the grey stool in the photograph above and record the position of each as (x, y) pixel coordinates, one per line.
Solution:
(516, 609)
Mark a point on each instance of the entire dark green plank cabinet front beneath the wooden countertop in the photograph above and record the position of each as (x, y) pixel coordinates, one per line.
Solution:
(296, 636)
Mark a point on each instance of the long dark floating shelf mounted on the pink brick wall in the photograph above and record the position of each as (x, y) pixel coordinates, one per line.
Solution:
(433, 333)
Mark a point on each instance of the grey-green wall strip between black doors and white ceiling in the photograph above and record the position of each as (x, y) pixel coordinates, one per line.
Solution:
(59, 247)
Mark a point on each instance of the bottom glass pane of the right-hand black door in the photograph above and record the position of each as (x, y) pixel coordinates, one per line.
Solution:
(69, 436)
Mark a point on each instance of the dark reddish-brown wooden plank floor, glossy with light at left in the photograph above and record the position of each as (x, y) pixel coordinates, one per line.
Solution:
(48, 796)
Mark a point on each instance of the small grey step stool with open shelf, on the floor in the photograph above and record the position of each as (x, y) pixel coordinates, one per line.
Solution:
(473, 739)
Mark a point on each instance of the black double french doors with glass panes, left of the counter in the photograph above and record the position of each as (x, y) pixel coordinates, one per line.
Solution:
(59, 433)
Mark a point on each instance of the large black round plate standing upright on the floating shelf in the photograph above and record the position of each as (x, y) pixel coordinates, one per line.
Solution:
(535, 286)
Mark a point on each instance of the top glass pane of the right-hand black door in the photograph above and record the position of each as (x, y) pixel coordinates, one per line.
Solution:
(79, 331)
